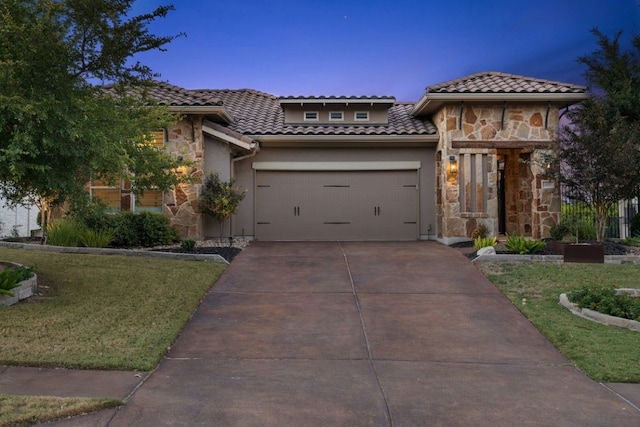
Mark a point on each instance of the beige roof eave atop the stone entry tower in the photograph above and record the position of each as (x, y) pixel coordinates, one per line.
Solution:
(430, 102)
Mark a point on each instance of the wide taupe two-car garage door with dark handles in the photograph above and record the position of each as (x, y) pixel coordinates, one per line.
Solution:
(337, 205)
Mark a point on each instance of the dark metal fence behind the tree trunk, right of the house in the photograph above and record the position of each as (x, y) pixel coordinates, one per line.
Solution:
(619, 220)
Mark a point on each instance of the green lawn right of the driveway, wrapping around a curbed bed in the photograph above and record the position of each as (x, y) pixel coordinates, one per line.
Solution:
(604, 353)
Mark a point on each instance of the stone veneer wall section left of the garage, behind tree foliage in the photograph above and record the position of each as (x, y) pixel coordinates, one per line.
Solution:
(185, 139)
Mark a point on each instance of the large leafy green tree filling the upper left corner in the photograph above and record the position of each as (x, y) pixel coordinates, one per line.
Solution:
(58, 125)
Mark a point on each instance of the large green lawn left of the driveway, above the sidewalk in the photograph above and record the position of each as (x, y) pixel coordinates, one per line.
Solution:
(101, 312)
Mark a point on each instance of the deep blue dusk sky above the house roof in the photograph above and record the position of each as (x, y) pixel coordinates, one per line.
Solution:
(377, 47)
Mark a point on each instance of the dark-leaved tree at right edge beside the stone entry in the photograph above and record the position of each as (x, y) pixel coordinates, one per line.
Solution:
(600, 148)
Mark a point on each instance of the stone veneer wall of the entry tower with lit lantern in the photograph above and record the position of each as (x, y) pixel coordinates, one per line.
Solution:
(531, 209)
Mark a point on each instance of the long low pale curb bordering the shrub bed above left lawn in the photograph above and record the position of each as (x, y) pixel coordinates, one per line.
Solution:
(110, 251)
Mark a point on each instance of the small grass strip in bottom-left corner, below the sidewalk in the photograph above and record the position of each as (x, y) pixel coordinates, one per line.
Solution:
(18, 411)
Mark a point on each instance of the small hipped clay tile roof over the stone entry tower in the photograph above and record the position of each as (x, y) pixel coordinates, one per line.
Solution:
(495, 82)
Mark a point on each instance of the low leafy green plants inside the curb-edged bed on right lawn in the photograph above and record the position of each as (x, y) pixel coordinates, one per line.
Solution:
(603, 299)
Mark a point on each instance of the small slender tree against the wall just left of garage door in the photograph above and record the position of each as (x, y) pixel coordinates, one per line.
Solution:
(219, 199)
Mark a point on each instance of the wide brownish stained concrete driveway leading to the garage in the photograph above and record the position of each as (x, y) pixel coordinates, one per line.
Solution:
(363, 334)
